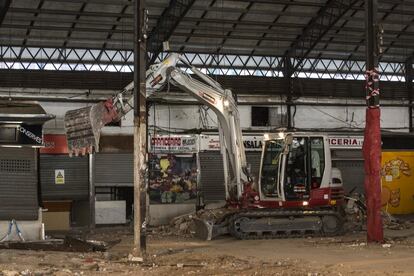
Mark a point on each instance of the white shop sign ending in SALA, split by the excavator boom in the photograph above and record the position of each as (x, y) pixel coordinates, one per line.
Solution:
(212, 142)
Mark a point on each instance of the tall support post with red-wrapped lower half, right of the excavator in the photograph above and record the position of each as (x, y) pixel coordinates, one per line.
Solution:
(372, 137)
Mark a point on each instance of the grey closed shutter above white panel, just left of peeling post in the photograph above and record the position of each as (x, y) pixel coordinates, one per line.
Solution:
(114, 169)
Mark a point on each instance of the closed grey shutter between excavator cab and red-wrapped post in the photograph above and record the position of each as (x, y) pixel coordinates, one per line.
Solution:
(352, 174)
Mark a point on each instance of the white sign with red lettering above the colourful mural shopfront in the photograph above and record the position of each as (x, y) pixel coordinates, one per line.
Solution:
(174, 143)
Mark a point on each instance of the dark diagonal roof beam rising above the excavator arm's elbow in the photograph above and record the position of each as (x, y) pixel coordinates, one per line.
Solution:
(168, 21)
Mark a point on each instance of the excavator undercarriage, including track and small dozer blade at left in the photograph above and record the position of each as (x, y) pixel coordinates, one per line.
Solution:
(272, 224)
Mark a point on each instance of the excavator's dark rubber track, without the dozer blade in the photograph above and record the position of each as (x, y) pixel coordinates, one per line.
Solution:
(276, 224)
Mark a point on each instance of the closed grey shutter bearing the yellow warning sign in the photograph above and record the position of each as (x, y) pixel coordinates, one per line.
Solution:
(76, 186)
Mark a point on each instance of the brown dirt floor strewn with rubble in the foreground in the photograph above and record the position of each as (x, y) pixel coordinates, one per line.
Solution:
(172, 255)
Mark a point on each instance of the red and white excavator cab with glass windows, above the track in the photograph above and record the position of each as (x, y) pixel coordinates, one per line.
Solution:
(296, 170)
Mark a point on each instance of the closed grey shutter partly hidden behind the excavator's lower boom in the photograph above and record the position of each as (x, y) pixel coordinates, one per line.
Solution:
(212, 174)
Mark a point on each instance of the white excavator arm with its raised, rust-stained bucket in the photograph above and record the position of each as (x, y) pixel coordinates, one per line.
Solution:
(83, 126)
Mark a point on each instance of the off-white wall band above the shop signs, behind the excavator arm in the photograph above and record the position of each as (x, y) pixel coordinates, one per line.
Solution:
(182, 117)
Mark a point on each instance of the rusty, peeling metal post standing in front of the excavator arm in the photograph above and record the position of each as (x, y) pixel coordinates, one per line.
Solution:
(140, 131)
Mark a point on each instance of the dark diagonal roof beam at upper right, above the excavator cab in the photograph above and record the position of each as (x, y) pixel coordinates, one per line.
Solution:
(327, 17)
